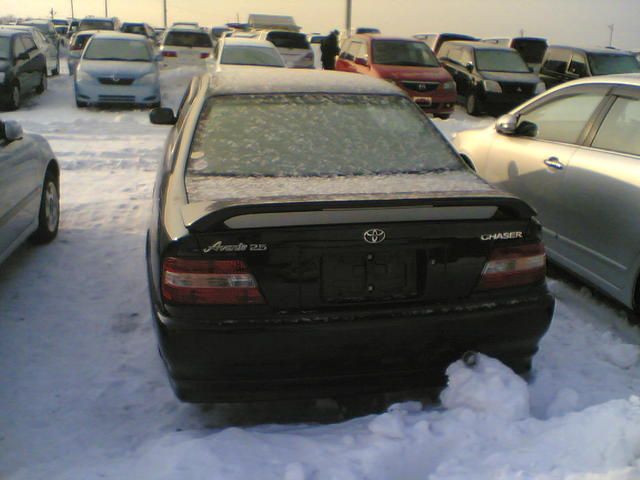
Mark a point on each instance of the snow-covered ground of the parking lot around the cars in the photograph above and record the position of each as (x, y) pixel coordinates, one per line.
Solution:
(84, 395)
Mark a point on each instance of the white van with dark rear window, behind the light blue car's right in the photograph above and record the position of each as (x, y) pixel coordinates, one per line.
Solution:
(185, 46)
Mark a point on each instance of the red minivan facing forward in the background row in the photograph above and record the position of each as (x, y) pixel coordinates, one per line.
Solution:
(406, 62)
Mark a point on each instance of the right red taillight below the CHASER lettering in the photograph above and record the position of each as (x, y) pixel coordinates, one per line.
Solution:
(514, 266)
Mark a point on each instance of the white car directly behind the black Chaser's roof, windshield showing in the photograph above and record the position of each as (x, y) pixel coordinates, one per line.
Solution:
(247, 51)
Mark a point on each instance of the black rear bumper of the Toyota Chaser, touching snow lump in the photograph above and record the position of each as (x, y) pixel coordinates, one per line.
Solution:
(342, 354)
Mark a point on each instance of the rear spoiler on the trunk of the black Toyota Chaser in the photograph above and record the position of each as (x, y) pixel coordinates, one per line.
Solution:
(312, 210)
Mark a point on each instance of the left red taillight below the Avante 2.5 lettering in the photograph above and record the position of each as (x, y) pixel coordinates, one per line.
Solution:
(205, 281)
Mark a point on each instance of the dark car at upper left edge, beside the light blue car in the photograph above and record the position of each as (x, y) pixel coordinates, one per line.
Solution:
(23, 67)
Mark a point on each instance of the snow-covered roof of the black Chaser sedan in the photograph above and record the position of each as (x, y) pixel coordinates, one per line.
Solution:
(278, 80)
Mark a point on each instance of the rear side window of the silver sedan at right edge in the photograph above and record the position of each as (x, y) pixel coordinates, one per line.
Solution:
(619, 131)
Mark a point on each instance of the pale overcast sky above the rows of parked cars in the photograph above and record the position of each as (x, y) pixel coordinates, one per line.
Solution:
(584, 22)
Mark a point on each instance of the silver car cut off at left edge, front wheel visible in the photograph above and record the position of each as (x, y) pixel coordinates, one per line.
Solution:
(29, 189)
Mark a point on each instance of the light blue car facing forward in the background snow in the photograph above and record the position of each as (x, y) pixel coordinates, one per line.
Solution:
(117, 68)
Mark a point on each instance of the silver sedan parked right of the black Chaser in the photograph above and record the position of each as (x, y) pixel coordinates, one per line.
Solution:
(573, 153)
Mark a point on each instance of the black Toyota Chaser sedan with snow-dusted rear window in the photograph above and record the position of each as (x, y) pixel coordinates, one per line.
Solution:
(313, 234)
